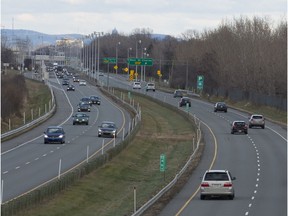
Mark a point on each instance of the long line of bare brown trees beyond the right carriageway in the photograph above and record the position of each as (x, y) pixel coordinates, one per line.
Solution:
(247, 55)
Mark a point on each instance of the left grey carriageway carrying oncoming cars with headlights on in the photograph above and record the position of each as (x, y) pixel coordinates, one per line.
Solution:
(28, 163)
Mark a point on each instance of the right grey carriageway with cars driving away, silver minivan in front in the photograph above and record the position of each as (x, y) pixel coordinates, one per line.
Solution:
(258, 160)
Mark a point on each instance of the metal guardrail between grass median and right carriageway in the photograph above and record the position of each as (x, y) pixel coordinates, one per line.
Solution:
(149, 203)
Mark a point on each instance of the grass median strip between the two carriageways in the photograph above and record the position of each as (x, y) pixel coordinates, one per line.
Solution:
(109, 190)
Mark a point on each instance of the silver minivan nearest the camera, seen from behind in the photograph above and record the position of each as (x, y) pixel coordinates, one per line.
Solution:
(217, 183)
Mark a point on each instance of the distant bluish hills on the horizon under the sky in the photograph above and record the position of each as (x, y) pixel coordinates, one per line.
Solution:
(38, 38)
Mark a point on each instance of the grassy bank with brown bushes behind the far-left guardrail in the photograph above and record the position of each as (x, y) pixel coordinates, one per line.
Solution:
(20, 95)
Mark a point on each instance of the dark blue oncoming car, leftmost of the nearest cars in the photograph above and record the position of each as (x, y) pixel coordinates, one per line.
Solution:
(54, 134)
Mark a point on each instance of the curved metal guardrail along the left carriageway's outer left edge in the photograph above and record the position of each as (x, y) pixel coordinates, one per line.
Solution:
(34, 122)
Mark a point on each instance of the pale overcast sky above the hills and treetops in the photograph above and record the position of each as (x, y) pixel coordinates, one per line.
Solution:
(171, 17)
